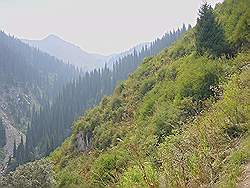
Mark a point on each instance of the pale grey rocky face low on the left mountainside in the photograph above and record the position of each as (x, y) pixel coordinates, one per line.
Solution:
(15, 105)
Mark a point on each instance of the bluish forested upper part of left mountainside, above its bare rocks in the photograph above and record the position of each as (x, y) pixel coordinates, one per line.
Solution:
(21, 64)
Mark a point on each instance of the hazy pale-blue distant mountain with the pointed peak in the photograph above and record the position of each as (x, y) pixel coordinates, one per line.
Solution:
(68, 52)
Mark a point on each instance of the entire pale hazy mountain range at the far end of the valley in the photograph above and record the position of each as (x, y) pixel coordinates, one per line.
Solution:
(74, 55)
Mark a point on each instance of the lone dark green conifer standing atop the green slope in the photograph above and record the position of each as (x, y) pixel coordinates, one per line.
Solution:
(209, 34)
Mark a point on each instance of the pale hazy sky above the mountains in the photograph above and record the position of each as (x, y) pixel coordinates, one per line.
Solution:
(102, 26)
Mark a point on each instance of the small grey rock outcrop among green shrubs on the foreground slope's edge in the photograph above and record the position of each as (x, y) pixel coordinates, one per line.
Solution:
(83, 141)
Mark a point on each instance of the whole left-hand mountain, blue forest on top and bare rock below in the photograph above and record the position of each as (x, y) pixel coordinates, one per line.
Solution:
(28, 80)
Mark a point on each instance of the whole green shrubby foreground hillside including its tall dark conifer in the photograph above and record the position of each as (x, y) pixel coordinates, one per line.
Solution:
(180, 120)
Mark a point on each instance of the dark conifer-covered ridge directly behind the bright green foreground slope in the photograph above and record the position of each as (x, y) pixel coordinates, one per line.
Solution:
(52, 124)
